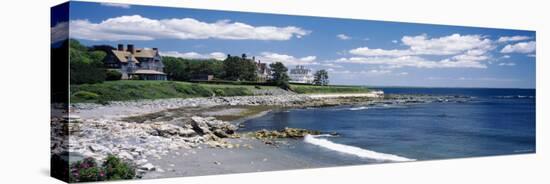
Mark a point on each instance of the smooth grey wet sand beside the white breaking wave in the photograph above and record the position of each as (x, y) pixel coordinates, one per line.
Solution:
(210, 161)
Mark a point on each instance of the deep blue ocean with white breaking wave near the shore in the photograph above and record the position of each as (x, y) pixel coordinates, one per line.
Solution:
(492, 122)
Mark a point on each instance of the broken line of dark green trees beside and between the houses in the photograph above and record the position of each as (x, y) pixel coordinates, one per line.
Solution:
(86, 66)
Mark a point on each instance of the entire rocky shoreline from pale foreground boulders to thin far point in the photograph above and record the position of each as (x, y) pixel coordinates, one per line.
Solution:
(139, 131)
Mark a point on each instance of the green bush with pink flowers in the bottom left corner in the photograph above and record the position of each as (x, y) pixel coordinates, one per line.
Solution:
(113, 168)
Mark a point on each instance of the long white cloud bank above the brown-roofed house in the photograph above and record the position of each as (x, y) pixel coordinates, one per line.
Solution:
(136, 27)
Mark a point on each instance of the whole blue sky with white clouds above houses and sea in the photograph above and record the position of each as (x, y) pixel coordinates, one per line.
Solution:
(354, 52)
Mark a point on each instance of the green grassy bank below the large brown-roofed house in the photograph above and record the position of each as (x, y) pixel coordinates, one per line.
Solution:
(124, 90)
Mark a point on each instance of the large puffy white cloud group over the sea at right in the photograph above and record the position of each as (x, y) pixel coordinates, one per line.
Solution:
(461, 51)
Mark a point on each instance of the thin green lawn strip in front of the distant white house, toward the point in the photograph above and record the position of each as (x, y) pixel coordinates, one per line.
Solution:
(311, 89)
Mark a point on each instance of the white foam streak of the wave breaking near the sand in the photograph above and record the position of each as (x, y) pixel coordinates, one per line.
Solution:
(354, 150)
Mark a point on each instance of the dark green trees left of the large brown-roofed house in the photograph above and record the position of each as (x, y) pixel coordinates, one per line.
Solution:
(86, 67)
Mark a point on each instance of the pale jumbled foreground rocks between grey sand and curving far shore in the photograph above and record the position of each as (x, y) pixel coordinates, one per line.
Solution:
(136, 142)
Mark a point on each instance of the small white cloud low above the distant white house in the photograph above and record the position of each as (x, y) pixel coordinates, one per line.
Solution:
(271, 57)
